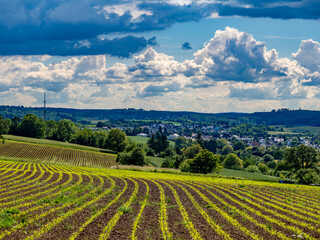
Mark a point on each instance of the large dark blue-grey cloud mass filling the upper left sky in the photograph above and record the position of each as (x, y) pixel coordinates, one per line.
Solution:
(54, 27)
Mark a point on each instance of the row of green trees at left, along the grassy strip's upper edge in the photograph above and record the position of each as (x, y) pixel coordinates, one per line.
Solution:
(63, 130)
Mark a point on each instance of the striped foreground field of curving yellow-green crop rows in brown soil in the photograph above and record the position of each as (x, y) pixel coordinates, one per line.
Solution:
(46, 201)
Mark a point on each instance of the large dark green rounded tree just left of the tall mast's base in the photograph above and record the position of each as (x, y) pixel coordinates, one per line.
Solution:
(32, 126)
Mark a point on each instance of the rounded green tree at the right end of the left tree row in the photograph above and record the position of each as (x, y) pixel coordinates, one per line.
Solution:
(116, 140)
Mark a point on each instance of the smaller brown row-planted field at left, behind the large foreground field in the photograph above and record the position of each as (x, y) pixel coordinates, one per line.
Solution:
(56, 155)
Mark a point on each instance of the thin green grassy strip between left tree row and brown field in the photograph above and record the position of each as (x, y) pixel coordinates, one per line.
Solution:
(52, 143)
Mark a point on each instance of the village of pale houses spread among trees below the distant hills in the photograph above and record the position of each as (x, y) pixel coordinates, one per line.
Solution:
(222, 131)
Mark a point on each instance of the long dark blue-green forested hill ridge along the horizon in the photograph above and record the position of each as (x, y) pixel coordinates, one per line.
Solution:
(275, 117)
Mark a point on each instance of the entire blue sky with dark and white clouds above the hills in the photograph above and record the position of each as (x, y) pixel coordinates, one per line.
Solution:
(178, 55)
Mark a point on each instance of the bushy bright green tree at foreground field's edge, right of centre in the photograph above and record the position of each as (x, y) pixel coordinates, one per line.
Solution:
(204, 162)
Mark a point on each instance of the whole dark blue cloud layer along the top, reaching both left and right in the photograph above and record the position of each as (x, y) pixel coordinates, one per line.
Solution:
(55, 26)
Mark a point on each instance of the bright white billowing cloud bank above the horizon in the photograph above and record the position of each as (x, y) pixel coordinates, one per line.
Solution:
(232, 67)
